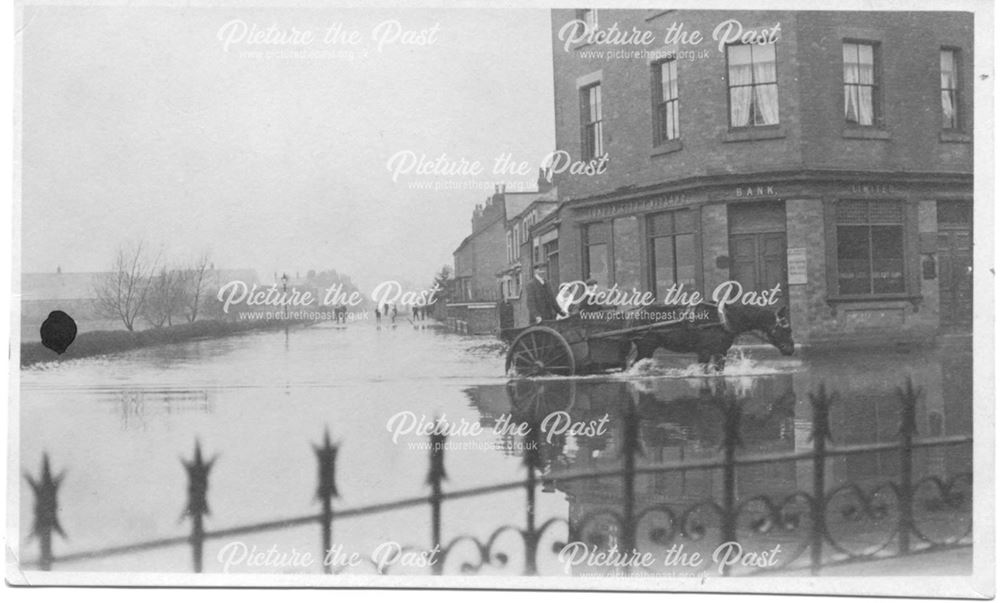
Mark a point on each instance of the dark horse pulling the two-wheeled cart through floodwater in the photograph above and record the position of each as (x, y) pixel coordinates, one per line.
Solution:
(711, 341)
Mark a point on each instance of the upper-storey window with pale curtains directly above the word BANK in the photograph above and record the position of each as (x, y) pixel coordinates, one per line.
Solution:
(753, 85)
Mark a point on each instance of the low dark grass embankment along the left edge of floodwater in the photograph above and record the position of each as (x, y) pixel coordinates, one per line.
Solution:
(96, 343)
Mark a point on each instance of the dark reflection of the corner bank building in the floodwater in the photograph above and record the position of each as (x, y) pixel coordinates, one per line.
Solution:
(682, 421)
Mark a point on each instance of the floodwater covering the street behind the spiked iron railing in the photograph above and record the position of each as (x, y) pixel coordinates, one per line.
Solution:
(119, 427)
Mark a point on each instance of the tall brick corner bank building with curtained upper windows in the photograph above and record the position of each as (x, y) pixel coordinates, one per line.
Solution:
(832, 157)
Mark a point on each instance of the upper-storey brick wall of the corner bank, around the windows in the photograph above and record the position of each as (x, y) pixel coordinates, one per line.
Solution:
(810, 89)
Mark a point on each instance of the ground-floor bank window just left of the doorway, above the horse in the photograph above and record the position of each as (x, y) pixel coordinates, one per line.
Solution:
(671, 250)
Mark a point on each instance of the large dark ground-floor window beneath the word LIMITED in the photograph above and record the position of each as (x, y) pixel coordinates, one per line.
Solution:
(870, 247)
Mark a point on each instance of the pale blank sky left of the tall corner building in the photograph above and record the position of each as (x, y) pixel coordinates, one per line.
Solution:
(198, 130)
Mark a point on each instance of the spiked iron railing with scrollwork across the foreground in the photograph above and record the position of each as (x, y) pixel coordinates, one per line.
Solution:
(827, 522)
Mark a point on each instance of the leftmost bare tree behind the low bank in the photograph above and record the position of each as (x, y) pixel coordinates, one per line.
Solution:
(122, 293)
